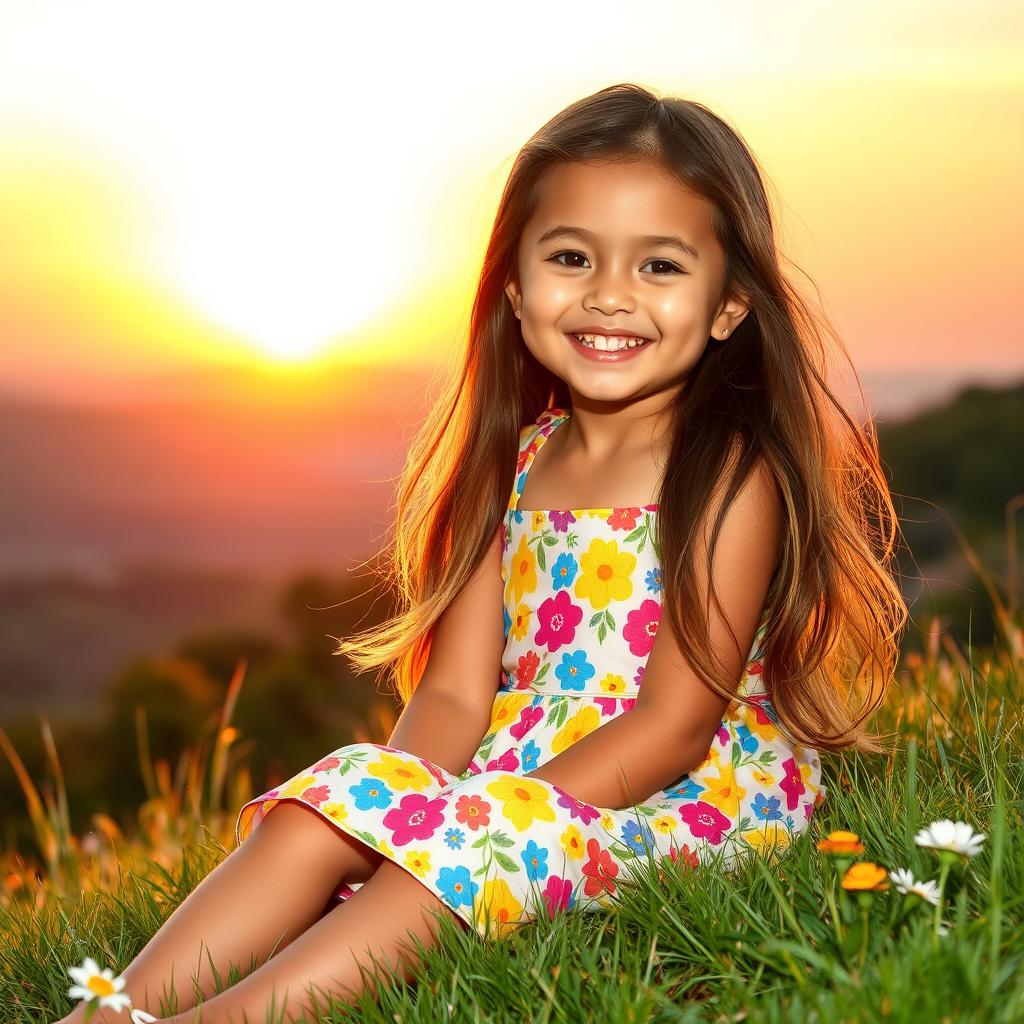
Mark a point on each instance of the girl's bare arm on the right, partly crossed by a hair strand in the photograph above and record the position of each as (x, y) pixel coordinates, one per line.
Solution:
(672, 727)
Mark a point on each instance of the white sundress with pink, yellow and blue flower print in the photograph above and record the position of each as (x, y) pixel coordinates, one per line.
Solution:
(582, 608)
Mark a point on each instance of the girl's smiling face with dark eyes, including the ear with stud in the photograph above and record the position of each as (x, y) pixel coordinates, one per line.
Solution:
(584, 263)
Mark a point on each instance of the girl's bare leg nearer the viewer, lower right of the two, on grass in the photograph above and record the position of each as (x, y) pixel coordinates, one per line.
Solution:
(327, 956)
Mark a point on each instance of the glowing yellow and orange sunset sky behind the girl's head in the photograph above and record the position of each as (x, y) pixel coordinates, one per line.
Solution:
(185, 185)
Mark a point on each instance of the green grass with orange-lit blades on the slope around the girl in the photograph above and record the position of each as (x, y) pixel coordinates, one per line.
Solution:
(777, 941)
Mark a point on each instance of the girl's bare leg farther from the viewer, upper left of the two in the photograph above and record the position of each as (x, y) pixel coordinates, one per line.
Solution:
(258, 901)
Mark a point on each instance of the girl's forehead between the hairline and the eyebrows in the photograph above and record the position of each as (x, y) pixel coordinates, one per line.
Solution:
(621, 200)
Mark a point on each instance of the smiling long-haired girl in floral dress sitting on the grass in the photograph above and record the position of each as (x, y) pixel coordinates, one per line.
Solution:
(641, 654)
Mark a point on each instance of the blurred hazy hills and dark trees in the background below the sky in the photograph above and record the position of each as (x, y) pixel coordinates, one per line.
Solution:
(264, 490)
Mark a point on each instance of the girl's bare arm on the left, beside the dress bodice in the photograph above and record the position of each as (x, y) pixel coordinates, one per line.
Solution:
(450, 711)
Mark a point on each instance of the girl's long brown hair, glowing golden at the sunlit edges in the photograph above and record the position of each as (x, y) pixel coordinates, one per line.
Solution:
(834, 611)
